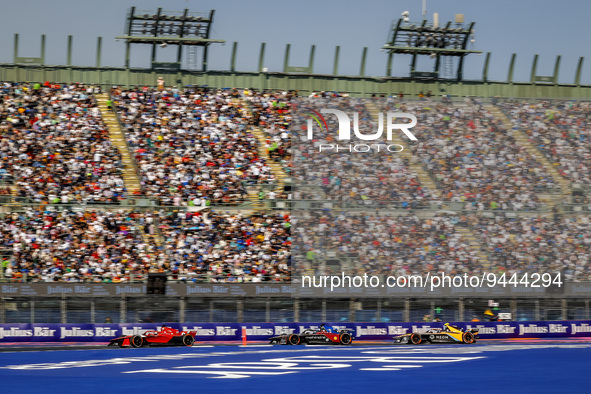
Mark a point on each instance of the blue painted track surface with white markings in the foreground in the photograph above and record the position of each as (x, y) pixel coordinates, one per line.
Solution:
(483, 367)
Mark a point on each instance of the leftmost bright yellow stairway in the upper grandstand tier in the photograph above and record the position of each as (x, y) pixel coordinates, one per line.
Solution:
(130, 176)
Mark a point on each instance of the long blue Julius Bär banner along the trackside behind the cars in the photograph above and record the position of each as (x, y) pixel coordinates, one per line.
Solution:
(103, 333)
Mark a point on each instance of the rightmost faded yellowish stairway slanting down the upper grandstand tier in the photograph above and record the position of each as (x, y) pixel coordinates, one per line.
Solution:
(552, 199)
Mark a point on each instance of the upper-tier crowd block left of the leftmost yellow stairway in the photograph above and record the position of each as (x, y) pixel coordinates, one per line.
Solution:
(55, 147)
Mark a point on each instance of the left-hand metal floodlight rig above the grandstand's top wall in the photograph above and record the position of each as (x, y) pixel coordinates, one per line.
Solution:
(168, 28)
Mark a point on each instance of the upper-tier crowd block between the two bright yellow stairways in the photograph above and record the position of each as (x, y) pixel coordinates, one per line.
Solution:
(192, 144)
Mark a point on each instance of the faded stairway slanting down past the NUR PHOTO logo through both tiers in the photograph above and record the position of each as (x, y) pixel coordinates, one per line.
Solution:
(428, 182)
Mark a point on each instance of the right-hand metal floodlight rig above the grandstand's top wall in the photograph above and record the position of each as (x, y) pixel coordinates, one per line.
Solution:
(428, 39)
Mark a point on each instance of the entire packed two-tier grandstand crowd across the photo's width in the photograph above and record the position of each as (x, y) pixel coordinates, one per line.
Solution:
(196, 148)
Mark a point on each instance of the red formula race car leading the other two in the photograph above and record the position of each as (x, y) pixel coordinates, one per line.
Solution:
(167, 336)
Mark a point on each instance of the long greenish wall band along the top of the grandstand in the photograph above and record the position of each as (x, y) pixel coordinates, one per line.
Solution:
(356, 85)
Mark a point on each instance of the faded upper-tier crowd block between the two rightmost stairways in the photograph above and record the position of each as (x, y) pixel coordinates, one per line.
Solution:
(474, 160)
